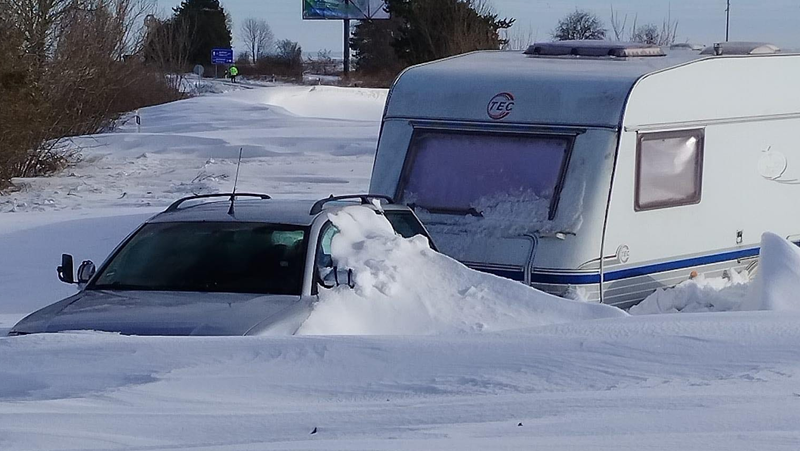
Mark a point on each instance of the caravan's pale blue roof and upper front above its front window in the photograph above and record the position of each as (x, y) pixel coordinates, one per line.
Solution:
(579, 90)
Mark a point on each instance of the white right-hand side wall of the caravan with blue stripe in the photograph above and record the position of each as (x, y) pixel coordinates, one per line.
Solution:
(746, 112)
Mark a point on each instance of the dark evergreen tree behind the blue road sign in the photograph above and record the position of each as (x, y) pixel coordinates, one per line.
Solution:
(209, 27)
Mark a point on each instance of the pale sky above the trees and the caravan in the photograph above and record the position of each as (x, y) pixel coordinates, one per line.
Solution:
(699, 21)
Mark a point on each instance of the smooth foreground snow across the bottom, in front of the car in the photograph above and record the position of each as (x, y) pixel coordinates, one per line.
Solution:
(666, 382)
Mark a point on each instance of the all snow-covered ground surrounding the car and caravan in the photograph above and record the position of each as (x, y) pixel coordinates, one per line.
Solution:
(475, 362)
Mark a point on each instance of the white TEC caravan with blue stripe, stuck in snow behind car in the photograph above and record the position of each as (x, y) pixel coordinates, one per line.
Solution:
(598, 170)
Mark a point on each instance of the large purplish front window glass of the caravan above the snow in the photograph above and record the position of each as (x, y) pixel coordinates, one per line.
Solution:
(458, 172)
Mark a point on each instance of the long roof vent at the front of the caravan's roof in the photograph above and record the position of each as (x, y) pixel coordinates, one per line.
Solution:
(594, 49)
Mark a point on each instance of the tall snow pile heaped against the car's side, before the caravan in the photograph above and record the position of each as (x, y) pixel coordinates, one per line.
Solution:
(404, 287)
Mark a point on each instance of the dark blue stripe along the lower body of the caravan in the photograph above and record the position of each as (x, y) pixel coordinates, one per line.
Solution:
(584, 279)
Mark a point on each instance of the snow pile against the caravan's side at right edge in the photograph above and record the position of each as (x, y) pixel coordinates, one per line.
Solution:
(775, 287)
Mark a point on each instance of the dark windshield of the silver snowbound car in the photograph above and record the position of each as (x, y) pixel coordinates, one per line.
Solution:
(231, 257)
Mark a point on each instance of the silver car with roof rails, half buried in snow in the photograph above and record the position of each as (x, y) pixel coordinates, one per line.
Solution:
(214, 264)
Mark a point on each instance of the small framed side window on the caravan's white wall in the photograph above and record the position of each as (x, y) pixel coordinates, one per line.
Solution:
(669, 169)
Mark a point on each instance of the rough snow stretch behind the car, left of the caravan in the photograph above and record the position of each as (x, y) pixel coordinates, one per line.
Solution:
(297, 141)
